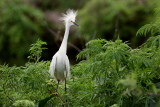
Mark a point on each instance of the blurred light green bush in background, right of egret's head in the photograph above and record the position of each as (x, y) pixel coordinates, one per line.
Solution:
(109, 18)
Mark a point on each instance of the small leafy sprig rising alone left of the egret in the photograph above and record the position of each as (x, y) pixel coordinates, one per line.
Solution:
(36, 50)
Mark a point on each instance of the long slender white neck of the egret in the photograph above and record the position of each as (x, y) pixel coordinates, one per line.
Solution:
(63, 47)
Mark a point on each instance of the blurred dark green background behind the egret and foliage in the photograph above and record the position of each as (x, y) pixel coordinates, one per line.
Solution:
(22, 22)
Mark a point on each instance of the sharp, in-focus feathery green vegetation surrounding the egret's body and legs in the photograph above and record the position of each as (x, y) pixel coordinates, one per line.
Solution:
(110, 74)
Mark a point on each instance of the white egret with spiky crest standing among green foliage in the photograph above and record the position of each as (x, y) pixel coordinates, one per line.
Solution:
(59, 66)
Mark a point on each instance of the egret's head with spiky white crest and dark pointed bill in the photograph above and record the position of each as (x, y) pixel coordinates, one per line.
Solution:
(70, 17)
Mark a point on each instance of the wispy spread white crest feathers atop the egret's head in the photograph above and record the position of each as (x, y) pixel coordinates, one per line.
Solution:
(70, 14)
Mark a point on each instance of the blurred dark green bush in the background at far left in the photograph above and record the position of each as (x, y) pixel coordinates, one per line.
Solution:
(20, 23)
